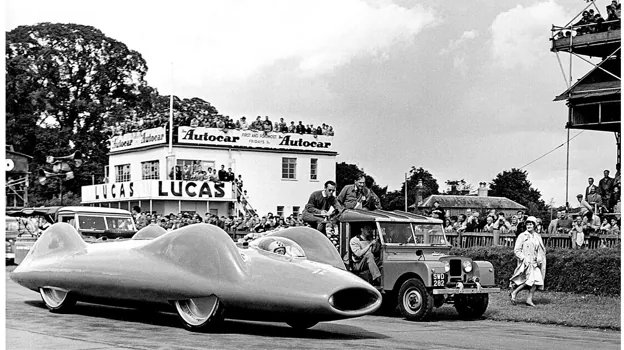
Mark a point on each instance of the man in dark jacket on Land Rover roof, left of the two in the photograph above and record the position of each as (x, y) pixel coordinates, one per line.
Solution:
(321, 206)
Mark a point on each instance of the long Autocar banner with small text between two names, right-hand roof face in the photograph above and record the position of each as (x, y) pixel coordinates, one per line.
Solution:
(253, 139)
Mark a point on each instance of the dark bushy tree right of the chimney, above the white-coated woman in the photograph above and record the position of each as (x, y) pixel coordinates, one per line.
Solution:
(513, 184)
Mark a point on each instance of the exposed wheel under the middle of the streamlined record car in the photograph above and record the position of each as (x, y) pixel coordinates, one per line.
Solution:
(200, 314)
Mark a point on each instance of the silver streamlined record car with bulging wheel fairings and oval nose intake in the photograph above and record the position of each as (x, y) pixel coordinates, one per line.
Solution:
(202, 273)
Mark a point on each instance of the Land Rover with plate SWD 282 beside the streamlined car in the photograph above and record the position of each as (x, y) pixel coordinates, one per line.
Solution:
(418, 273)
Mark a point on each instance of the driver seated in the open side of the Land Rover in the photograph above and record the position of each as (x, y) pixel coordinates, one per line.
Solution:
(363, 249)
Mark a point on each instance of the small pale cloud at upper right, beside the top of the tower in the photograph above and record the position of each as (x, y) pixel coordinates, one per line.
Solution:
(520, 35)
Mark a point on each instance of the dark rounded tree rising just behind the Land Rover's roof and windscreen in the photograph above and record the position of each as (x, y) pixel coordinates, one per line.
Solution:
(395, 200)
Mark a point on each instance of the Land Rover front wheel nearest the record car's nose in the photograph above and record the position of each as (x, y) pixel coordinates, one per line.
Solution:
(414, 300)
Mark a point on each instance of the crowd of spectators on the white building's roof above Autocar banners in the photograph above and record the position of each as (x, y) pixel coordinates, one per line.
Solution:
(135, 124)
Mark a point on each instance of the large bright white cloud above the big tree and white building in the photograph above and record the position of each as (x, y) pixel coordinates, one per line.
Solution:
(231, 40)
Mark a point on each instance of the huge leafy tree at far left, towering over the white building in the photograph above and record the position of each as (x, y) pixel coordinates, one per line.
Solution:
(65, 82)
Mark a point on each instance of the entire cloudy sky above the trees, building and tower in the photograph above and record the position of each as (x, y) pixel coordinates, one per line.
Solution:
(463, 89)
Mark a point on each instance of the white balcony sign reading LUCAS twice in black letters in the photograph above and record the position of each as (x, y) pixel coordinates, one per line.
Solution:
(158, 189)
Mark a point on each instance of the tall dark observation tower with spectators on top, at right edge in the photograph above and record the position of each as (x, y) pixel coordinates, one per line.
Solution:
(594, 100)
